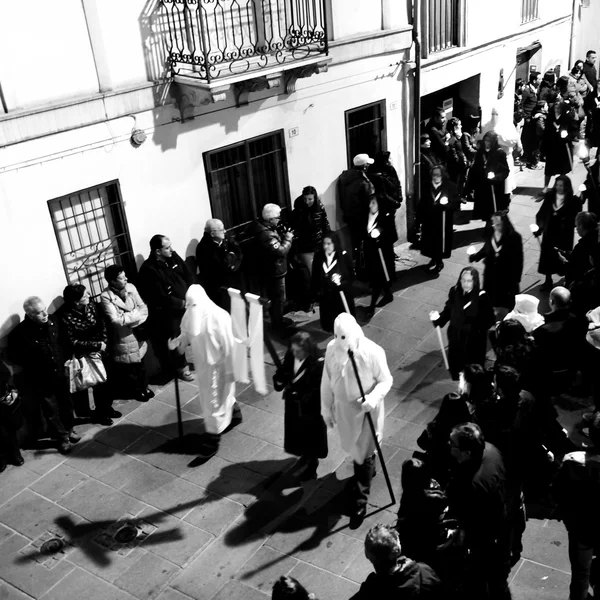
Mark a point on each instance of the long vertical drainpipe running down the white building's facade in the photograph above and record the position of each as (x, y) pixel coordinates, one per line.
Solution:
(411, 209)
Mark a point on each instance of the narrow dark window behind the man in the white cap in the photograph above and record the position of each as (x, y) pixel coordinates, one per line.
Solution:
(365, 130)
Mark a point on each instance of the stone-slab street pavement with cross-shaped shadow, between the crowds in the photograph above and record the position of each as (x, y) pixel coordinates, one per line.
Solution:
(138, 518)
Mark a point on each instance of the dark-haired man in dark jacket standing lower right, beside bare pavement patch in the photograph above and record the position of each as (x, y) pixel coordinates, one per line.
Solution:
(476, 495)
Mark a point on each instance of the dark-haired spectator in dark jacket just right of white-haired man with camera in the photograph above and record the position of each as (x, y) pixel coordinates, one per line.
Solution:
(310, 224)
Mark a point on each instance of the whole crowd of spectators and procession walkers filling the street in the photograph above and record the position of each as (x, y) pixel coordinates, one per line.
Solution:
(495, 443)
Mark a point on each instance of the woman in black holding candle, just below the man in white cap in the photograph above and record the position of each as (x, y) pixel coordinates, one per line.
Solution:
(380, 233)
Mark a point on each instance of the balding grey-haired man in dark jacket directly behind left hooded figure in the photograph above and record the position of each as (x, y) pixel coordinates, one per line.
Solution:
(219, 258)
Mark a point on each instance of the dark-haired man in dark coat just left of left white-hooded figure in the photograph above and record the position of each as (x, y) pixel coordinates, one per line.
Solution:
(163, 280)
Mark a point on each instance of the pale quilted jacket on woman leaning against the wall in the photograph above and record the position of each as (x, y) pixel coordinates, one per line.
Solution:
(124, 316)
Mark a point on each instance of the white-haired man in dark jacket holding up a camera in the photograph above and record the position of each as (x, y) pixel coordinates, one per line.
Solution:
(272, 248)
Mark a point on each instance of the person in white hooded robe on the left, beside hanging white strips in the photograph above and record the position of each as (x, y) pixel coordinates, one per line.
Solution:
(207, 329)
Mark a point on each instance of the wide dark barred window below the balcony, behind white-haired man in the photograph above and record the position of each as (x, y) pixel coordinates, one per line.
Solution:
(244, 177)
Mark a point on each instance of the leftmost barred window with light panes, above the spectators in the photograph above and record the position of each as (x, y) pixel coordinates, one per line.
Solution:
(92, 233)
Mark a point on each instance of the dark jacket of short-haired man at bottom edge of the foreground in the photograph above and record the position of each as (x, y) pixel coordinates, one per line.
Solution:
(411, 581)
